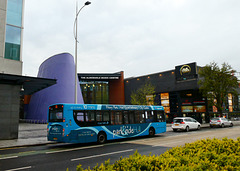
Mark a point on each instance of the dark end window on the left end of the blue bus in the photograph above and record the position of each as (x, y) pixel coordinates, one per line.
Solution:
(56, 113)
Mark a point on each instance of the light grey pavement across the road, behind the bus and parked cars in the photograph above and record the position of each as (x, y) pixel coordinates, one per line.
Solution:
(36, 134)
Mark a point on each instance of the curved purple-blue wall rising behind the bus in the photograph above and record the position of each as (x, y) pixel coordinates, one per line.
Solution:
(62, 68)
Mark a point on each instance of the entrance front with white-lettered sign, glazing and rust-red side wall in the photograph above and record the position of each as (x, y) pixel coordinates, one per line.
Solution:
(105, 88)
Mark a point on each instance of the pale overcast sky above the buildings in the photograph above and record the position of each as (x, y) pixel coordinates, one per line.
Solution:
(138, 37)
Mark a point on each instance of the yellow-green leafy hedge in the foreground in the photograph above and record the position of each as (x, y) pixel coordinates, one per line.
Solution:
(209, 154)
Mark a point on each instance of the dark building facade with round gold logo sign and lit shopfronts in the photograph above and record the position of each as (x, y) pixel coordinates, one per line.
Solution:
(178, 91)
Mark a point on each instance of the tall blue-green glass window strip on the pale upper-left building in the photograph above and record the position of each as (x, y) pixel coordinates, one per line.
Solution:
(13, 29)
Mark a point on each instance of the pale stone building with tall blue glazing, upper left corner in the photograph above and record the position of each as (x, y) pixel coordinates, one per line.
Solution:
(11, 28)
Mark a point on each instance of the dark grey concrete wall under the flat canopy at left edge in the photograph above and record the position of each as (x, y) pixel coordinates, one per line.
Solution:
(9, 111)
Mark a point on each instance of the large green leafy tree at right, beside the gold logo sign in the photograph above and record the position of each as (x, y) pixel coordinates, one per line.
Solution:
(215, 84)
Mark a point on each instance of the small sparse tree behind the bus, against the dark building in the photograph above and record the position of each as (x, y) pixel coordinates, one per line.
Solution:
(139, 97)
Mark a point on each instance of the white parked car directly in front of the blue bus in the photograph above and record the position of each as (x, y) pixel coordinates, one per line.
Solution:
(185, 123)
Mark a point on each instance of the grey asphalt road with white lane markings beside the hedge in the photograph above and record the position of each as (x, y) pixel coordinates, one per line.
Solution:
(63, 156)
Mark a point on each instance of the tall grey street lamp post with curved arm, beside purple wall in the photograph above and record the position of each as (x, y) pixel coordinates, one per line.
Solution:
(76, 42)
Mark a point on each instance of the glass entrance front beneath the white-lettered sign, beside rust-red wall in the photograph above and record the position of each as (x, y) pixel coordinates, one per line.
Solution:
(95, 92)
